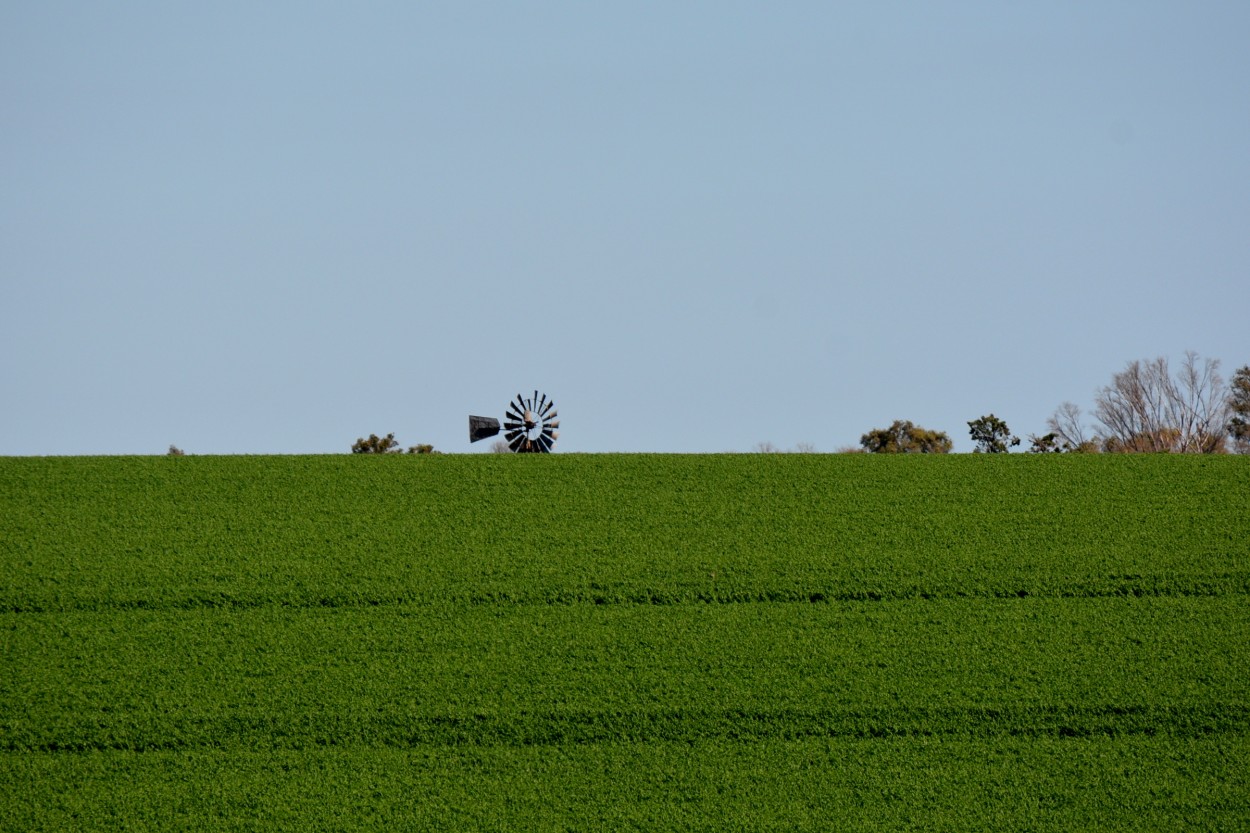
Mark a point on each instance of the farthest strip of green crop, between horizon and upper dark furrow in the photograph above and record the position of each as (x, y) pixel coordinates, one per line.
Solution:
(171, 533)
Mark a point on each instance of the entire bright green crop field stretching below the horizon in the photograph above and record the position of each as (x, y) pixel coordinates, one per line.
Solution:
(756, 642)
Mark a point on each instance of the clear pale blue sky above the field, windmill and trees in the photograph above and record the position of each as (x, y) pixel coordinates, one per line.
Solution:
(253, 228)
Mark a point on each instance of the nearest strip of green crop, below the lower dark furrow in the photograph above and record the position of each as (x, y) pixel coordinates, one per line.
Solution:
(1138, 782)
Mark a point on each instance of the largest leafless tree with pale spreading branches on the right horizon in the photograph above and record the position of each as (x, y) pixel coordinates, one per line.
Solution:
(1147, 410)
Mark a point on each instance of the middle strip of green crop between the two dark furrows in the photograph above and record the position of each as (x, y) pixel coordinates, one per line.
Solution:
(272, 679)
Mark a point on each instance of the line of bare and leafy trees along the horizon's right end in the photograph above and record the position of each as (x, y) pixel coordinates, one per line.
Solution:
(1146, 408)
